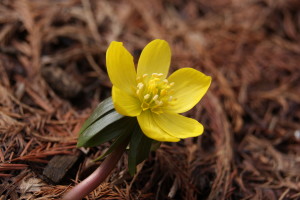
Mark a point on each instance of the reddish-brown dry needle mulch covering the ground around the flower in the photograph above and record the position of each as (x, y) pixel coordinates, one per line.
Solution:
(52, 75)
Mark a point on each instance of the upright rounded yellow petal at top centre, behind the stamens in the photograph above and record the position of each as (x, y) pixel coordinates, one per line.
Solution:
(155, 58)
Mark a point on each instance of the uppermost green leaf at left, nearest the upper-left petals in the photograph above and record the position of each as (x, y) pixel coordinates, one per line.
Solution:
(103, 108)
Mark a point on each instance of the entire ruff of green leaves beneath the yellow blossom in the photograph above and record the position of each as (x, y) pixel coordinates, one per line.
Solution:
(105, 124)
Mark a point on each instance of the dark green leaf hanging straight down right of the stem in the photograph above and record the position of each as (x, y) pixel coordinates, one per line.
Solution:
(140, 146)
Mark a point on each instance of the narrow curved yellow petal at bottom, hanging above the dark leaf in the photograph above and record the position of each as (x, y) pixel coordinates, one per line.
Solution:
(152, 130)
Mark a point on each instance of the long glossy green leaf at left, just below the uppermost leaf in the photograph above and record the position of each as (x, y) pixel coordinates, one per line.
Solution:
(97, 127)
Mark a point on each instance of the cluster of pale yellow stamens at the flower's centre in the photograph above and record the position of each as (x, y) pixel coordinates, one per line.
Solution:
(154, 92)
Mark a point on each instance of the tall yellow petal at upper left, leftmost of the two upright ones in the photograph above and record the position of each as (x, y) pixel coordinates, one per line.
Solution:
(120, 67)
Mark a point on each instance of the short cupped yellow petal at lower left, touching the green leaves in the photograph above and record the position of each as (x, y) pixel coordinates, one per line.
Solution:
(125, 104)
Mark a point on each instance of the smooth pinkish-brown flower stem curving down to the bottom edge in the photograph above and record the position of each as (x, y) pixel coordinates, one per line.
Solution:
(97, 177)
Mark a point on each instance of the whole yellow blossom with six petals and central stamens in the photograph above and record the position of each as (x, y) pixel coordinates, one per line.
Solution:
(147, 93)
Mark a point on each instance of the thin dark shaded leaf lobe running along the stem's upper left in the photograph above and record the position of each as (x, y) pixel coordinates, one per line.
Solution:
(124, 137)
